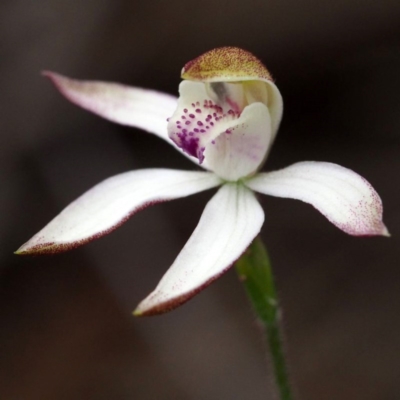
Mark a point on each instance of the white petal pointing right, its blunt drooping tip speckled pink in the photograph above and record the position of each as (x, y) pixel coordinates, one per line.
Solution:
(343, 196)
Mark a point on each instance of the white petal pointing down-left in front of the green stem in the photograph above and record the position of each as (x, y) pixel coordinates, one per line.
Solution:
(230, 222)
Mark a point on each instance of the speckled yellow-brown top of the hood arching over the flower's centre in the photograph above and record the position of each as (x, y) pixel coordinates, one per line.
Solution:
(225, 64)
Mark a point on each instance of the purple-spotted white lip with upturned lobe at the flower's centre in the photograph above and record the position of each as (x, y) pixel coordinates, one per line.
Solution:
(231, 144)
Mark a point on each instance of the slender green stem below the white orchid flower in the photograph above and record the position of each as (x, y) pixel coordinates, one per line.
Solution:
(254, 270)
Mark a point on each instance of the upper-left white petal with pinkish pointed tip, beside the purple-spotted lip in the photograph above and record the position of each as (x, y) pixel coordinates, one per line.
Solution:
(140, 108)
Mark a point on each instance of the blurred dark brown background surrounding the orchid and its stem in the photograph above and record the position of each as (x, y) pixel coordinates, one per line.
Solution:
(66, 327)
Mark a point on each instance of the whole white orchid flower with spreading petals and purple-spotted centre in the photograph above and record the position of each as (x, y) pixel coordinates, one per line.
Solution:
(225, 120)
